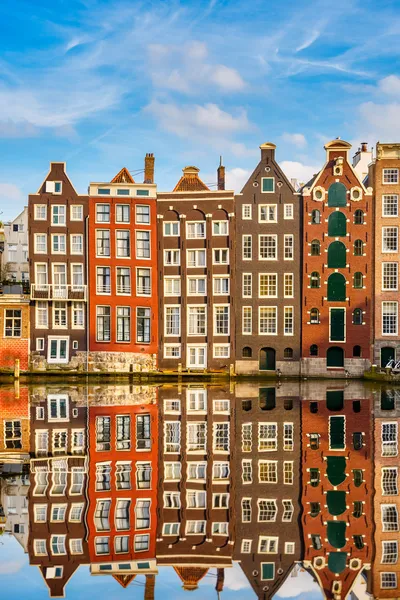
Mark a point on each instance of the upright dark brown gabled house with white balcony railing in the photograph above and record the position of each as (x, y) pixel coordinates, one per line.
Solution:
(57, 266)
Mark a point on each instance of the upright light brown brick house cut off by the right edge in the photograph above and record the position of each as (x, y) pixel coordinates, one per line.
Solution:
(384, 176)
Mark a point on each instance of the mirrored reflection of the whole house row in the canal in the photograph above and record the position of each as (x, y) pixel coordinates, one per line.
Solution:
(127, 479)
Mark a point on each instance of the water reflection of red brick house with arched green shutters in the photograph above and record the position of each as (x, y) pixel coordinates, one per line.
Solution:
(337, 471)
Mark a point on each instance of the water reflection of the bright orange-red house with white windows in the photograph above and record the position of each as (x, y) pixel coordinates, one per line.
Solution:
(122, 489)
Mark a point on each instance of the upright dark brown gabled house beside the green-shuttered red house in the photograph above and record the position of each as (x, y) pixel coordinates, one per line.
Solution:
(268, 271)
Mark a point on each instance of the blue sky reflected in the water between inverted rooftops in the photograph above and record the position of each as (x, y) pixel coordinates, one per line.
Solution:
(27, 582)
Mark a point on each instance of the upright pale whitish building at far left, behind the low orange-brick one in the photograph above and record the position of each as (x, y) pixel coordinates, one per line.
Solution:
(16, 266)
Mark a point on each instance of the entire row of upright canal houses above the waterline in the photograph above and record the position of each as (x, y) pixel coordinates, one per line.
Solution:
(271, 279)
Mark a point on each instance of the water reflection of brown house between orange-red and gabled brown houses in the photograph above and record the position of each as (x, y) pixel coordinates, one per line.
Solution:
(196, 484)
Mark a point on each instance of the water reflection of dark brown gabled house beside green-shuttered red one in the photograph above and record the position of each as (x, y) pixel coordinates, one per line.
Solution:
(268, 538)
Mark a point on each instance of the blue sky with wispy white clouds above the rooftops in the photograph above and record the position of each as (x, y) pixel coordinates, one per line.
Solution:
(98, 83)
